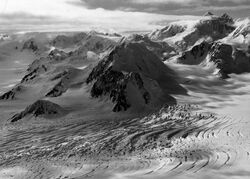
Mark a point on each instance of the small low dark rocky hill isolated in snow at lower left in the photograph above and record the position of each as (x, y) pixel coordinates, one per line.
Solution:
(40, 108)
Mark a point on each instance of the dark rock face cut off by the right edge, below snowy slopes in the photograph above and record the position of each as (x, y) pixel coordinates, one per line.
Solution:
(229, 60)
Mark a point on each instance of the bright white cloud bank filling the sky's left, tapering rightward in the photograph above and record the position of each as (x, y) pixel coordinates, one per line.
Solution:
(63, 15)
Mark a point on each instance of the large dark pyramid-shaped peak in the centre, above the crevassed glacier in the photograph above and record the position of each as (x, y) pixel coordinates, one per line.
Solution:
(131, 75)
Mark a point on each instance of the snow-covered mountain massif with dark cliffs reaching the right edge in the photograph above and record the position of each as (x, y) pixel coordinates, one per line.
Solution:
(226, 46)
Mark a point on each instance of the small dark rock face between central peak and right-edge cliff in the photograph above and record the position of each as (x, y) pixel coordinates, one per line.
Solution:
(195, 55)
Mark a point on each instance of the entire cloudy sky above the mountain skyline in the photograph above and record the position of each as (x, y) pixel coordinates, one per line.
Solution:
(110, 15)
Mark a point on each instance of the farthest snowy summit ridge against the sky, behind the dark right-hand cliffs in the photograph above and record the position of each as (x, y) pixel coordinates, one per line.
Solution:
(184, 34)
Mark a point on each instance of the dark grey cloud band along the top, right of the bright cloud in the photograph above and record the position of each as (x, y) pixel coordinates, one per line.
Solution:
(183, 7)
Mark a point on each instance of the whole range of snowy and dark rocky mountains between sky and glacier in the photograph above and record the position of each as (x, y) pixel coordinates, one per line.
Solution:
(124, 73)
